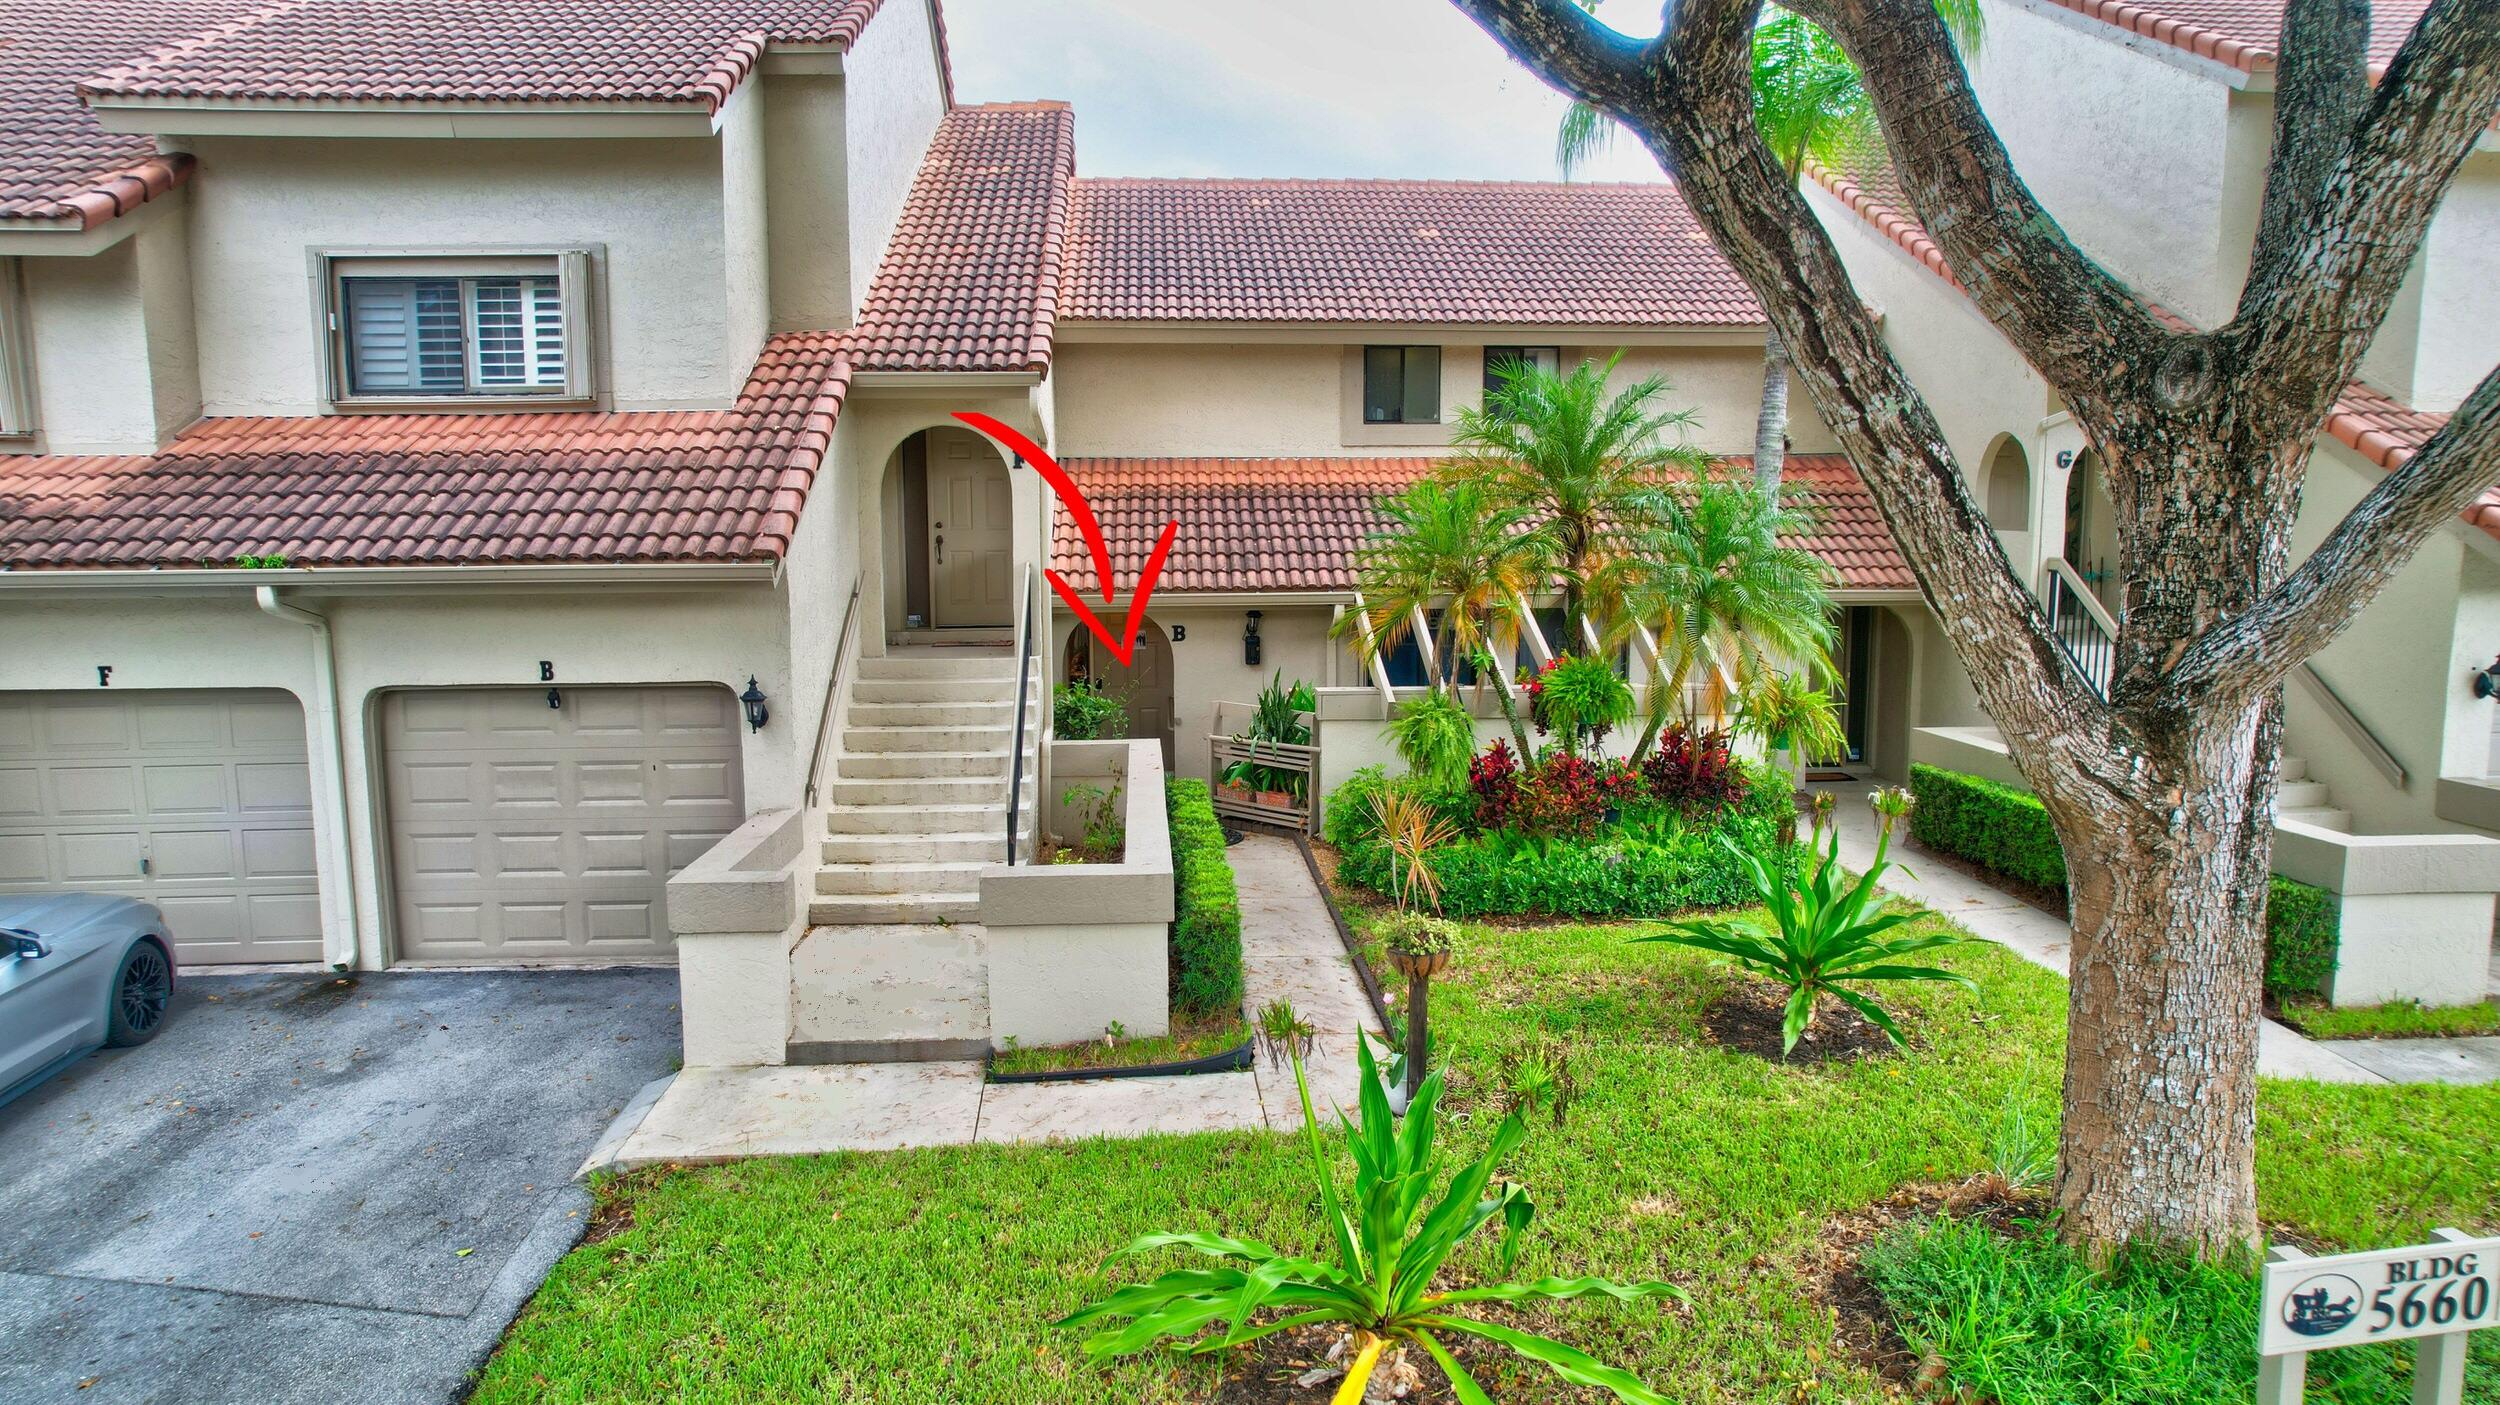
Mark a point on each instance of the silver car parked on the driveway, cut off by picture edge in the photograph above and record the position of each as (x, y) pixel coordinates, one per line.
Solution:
(76, 971)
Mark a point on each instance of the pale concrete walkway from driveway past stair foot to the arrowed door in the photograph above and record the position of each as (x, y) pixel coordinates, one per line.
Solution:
(1289, 951)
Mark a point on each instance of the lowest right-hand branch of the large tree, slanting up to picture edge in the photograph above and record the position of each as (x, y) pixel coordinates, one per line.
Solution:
(2361, 556)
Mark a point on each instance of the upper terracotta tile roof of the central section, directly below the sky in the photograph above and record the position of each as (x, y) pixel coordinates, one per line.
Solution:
(1396, 251)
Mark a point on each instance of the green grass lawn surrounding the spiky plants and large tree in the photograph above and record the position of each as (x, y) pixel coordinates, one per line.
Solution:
(934, 1276)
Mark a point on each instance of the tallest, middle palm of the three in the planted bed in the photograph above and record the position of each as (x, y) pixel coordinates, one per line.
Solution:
(1591, 469)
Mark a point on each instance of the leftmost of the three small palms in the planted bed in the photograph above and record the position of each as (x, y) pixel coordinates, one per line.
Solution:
(1451, 546)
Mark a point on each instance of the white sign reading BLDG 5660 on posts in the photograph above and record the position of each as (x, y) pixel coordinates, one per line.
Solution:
(2434, 1294)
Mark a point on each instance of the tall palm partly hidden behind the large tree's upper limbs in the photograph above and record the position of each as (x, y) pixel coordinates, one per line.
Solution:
(1809, 104)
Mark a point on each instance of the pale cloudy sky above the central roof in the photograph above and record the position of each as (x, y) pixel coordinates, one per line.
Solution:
(1279, 86)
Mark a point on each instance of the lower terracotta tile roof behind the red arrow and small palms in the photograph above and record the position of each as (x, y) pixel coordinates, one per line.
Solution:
(1294, 524)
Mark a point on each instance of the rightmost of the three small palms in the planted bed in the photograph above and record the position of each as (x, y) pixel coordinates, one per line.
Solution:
(1724, 594)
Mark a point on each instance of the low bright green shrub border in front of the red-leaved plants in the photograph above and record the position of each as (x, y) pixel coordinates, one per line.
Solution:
(1644, 871)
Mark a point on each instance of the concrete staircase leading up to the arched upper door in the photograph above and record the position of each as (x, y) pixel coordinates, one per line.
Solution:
(919, 794)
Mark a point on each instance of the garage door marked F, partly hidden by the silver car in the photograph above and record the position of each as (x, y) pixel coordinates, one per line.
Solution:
(194, 801)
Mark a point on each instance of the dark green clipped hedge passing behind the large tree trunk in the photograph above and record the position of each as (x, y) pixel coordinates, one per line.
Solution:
(2006, 831)
